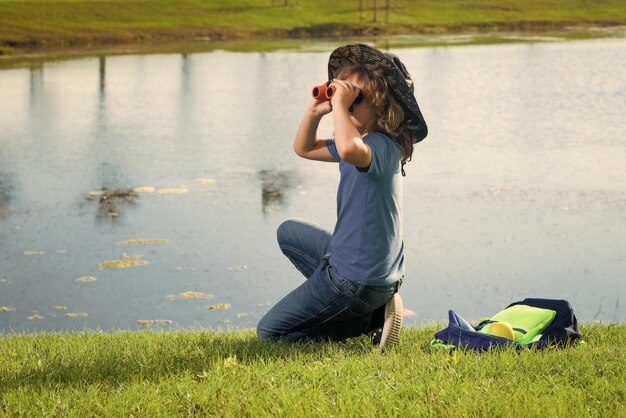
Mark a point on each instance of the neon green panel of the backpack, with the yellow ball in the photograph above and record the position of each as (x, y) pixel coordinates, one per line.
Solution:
(525, 322)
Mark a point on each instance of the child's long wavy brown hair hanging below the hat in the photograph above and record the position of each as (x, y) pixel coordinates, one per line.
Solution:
(389, 114)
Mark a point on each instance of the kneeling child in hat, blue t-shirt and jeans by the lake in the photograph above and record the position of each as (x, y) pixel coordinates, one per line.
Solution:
(354, 273)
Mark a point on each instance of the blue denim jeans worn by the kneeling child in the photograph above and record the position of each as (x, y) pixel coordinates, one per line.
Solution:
(326, 305)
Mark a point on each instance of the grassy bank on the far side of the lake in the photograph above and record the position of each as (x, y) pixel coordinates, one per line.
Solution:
(27, 25)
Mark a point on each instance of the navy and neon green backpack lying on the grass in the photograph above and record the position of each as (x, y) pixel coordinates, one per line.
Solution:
(531, 322)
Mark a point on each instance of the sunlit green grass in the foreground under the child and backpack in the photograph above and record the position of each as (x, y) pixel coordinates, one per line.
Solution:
(232, 374)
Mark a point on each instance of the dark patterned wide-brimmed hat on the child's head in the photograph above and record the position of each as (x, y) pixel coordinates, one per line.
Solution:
(398, 78)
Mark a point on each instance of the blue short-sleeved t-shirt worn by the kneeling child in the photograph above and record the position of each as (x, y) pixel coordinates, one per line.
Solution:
(366, 245)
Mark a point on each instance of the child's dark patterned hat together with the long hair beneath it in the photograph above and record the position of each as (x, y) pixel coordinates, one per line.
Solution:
(388, 87)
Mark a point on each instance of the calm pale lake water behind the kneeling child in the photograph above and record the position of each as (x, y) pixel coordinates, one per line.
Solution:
(518, 191)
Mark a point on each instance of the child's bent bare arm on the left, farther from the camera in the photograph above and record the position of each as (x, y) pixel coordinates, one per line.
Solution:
(306, 143)
